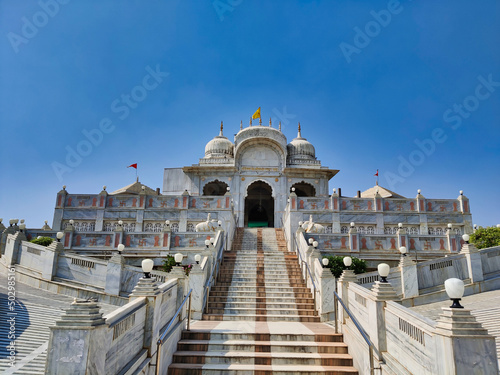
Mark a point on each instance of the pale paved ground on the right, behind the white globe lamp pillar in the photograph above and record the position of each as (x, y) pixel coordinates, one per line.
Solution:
(484, 306)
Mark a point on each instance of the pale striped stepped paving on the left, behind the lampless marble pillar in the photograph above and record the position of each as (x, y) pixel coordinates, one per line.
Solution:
(29, 320)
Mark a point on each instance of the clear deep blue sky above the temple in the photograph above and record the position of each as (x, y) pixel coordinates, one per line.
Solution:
(411, 88)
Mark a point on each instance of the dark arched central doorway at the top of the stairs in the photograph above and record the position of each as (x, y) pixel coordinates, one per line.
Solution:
(259, 205)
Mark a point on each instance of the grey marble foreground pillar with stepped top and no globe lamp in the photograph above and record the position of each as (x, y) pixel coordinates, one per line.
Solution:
(78, 342)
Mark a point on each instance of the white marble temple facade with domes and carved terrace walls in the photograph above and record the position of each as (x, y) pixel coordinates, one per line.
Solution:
(259, 179)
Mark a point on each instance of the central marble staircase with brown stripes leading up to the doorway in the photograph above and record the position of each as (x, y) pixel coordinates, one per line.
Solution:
(261, 318)
